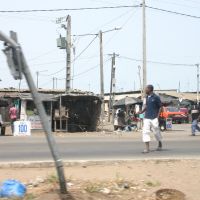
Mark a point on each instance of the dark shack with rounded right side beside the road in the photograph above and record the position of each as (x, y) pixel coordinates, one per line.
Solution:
(76, 113)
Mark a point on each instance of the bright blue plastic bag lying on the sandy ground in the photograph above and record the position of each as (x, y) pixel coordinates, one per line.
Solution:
(12, 188)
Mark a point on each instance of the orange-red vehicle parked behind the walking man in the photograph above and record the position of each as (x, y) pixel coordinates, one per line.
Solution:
(175, 114)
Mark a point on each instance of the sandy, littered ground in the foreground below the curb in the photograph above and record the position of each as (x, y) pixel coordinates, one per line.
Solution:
(143, 178)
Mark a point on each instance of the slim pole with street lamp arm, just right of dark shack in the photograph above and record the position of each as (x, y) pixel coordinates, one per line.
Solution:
(101, 73)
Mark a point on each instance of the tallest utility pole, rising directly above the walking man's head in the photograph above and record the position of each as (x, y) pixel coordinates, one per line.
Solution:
(144, 46)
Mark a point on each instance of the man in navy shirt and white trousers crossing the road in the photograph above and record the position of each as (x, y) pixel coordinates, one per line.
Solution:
(151, 108)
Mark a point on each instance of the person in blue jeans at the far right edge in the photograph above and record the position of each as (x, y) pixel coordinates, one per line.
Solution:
(195, 117)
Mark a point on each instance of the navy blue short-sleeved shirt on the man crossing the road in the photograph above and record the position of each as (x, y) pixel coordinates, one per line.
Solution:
(153, 105)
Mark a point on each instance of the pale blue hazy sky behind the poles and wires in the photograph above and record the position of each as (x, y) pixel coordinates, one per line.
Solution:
(170, 38)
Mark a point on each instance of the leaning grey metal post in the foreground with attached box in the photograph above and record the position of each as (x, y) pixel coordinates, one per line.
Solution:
(18, 64)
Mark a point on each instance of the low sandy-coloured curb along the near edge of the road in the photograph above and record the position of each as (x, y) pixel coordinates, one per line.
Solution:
(86, 163)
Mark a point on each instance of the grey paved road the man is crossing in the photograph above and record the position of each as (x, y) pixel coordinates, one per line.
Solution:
(178, 144)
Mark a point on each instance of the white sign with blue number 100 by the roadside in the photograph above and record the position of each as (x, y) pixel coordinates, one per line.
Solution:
(22, 128)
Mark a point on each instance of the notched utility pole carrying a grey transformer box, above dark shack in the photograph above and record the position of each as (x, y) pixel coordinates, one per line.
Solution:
(68, 51)
